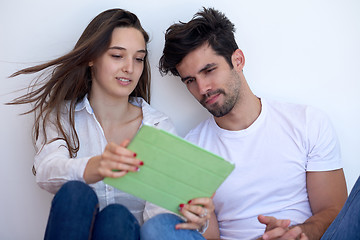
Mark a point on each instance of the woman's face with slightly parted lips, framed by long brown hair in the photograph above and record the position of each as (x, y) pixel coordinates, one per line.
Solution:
(117, 71)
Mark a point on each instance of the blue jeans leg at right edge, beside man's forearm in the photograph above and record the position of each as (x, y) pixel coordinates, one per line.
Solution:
(347, 224)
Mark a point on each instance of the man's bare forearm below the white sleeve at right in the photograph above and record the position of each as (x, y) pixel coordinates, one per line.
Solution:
(327, 195)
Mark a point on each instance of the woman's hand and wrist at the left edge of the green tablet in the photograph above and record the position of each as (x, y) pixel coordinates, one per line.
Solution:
(115, 157)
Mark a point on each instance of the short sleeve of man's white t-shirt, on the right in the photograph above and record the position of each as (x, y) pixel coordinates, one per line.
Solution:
(323, 145)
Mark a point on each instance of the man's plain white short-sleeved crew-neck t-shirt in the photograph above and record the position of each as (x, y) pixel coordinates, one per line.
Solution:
(271, 159)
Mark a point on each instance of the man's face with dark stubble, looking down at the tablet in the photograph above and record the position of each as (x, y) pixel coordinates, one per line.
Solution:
(210, 80)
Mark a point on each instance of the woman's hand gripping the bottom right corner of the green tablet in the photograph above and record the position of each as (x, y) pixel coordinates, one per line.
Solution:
(197, 212)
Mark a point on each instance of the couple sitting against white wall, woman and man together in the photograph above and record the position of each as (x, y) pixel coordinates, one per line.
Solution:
(287, 184)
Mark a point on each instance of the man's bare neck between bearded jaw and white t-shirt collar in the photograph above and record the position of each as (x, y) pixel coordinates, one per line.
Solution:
(242, 115)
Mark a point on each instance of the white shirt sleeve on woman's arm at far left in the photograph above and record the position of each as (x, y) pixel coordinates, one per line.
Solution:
(53, 164)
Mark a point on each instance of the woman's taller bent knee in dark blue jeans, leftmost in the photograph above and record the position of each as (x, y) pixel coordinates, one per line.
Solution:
(72, 212)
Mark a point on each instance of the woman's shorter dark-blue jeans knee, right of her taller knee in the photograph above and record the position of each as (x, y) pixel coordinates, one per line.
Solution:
(115, 222)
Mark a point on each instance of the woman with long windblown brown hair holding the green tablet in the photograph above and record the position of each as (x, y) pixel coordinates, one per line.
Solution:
(91, 104)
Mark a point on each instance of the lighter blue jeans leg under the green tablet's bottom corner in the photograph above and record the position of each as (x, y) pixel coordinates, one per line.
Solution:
(162, 227)
